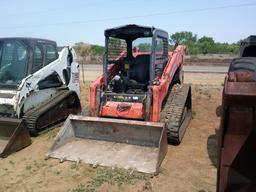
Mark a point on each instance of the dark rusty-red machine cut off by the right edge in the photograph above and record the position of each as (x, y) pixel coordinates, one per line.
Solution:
(237, 139)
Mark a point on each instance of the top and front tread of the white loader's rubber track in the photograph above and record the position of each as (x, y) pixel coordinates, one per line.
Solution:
(32, 115)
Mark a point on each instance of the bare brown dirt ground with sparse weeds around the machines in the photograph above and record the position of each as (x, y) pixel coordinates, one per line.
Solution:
(191, 166)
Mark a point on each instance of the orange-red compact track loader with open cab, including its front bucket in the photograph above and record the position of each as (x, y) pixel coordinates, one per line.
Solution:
(138, 103)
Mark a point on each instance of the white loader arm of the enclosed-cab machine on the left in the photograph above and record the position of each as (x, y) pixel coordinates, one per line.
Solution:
(65, 70)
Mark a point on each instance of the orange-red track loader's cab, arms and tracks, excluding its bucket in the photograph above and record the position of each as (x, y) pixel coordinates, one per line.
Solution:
(137, 85)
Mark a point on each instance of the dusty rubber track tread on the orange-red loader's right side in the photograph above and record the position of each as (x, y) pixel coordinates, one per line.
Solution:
(172, 113)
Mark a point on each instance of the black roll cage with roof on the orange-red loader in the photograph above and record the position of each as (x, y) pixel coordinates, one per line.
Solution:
(129, 33)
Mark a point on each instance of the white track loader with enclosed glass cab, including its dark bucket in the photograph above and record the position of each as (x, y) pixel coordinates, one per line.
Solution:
(39, 87)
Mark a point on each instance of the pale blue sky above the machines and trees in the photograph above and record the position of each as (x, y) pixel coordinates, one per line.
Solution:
(68, 22)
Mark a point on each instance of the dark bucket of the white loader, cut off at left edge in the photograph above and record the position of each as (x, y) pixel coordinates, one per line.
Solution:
(13, 136)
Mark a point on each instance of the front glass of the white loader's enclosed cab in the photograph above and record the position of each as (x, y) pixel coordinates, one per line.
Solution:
(13, 60)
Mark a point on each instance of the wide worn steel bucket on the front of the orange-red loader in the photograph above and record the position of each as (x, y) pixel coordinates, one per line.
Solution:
(127, 144)
